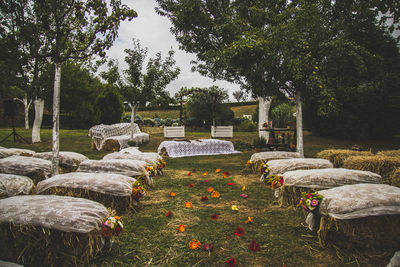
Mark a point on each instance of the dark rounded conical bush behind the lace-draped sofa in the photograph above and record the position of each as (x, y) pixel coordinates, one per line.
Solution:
(108, 106)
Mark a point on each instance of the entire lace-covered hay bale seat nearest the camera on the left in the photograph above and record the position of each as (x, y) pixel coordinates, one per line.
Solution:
(50, 230)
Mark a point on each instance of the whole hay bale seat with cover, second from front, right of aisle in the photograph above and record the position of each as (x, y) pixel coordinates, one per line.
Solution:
(296, 182)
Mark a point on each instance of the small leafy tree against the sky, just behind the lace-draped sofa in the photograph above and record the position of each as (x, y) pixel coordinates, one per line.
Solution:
(140, 88)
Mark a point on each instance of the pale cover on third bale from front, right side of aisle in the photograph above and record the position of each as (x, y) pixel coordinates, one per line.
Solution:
(280, 166)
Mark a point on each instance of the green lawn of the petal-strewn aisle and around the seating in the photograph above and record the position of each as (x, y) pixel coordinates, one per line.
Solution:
(152, 239)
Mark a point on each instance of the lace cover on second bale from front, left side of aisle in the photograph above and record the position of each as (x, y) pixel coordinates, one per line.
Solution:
(105, 183)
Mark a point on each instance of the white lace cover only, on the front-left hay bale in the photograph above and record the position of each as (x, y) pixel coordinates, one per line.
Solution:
(68, 214)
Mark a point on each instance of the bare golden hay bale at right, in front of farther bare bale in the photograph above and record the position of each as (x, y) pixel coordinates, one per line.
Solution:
(380, 164)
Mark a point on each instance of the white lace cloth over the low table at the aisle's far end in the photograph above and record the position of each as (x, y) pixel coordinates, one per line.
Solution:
(176, 149)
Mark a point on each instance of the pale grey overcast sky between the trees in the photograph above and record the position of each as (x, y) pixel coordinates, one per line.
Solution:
(153, 32)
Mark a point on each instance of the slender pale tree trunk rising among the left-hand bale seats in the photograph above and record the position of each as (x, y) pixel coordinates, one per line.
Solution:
(56, 119)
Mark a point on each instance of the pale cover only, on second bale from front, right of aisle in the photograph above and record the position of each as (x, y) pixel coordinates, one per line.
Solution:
(328, 178)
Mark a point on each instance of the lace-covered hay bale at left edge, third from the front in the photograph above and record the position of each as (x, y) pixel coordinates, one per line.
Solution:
(34, 168)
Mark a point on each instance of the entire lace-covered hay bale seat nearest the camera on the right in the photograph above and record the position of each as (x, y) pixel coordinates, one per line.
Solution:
(364, 216)
